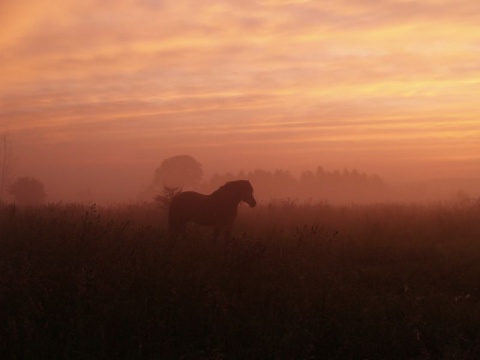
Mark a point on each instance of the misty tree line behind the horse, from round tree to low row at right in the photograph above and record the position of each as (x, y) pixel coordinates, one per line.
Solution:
(185, 172)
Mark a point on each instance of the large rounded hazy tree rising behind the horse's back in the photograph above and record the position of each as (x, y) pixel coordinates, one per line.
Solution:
(182, 171)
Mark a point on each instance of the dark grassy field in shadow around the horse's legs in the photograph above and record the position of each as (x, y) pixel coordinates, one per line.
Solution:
(297, 281)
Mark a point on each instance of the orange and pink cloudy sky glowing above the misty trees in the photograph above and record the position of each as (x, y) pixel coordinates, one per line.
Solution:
(94, 94)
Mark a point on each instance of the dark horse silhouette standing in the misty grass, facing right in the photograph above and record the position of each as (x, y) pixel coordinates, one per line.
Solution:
(218, 209)
